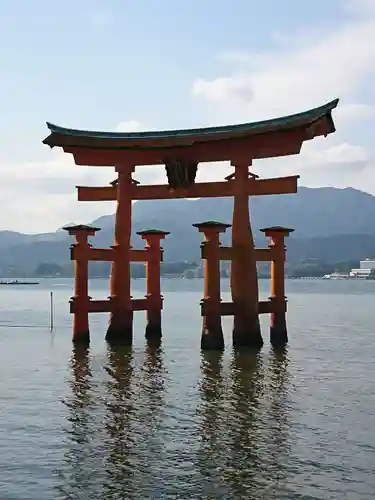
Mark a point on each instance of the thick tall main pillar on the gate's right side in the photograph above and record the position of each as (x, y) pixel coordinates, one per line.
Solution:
(244, 279)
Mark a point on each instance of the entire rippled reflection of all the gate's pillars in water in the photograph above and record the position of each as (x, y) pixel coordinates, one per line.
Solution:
(120, 442)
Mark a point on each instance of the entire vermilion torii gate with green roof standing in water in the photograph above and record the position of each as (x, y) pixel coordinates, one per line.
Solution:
(181, 151)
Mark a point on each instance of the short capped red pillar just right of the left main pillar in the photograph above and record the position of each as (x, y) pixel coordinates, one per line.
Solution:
(153, 239)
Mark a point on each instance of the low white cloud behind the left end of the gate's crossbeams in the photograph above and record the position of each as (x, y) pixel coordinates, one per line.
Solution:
(41, 196)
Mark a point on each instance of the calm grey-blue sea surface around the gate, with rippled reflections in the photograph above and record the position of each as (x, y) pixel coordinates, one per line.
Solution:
(174, 423)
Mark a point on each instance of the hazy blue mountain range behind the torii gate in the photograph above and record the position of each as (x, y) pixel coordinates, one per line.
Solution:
(331, 225)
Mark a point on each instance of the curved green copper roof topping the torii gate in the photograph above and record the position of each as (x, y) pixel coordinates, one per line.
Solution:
(61, 136)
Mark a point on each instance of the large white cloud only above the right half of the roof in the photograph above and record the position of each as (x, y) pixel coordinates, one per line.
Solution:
(308, 73)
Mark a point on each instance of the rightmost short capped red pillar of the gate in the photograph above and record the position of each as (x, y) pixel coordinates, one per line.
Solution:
(278, 329)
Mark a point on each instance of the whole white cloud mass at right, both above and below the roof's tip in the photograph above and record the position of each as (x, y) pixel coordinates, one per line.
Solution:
(305, 71)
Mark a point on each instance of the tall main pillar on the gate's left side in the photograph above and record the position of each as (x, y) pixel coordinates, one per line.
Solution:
(120, 328)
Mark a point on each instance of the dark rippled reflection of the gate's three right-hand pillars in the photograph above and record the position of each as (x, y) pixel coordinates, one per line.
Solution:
(243, 424)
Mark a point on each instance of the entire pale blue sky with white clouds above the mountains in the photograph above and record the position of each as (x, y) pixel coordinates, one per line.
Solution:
(132, 65)
